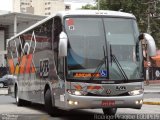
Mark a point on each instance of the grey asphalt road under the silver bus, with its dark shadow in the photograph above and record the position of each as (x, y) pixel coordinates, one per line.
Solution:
(10, 111)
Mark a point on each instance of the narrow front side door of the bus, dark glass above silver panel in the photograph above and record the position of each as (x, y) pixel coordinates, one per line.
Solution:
(59, 63)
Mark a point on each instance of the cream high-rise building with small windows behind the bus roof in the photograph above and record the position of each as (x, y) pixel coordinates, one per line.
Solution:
(40, 7)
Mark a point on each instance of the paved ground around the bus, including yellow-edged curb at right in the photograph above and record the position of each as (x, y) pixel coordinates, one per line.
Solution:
(150, 108)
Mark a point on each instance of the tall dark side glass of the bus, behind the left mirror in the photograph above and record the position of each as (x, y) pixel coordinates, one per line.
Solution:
(59, 62)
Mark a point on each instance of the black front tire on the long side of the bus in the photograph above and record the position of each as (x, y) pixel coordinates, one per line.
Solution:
(53, 111)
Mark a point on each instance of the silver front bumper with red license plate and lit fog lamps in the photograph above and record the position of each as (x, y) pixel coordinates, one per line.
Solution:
(93, 102)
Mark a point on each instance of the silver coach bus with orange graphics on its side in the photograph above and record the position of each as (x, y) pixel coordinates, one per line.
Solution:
(84, 59)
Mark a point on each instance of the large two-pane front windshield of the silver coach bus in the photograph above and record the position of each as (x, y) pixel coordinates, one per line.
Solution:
(91, 39)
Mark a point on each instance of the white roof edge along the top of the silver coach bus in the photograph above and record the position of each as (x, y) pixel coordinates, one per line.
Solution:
(78, 13)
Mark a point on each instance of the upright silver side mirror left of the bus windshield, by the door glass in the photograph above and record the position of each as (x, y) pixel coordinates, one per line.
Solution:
(62, 44)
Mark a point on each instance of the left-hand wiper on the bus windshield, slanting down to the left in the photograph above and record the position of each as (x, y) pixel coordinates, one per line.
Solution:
(100, 65)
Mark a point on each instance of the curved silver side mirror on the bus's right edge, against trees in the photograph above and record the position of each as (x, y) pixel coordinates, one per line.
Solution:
(151, 46)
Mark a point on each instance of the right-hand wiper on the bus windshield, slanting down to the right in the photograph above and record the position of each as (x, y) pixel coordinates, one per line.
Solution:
(113, 57)
